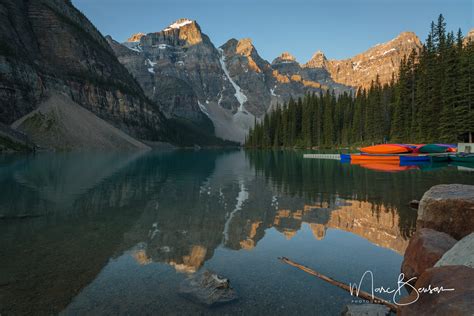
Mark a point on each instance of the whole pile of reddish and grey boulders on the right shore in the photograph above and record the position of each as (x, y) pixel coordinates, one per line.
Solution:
(447, 288)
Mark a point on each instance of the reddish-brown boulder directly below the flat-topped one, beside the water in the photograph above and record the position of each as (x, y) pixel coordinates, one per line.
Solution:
(426, 247)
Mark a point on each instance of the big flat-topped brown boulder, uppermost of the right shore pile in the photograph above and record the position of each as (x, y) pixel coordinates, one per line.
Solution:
(448, 208)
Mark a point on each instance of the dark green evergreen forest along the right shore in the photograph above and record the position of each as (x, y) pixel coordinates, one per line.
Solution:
(431, 101)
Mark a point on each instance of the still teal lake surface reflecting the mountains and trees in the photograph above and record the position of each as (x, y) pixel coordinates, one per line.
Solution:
(116, 233)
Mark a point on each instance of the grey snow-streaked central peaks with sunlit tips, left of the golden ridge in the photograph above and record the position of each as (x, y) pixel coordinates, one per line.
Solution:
(232, 85)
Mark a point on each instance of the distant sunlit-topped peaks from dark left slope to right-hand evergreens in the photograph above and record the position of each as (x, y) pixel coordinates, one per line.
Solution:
(180, 68)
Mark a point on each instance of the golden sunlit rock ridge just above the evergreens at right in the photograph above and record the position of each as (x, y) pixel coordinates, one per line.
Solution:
(381, 60)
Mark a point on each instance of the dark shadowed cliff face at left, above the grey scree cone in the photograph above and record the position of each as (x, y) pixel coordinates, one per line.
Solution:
(48, 47)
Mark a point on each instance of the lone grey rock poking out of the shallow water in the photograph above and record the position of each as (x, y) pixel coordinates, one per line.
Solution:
(207, 288)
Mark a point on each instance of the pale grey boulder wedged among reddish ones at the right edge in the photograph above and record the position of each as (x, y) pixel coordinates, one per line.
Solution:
(462, 253)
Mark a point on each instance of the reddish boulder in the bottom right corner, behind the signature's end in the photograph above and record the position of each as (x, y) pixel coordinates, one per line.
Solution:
(457, 302)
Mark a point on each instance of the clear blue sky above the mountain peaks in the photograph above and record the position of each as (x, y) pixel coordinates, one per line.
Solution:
(339, 28)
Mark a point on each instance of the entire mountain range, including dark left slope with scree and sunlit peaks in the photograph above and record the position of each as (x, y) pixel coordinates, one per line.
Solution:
(171, 86)
